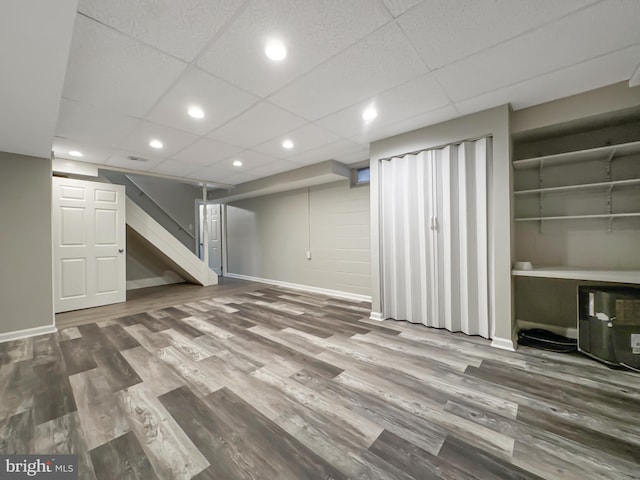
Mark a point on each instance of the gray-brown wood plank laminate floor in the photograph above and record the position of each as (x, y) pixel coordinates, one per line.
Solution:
(260, 382)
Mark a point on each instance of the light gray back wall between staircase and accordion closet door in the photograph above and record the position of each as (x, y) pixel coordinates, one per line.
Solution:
(268, 237)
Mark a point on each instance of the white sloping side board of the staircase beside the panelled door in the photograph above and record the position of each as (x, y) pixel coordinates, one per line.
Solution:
(185, 262)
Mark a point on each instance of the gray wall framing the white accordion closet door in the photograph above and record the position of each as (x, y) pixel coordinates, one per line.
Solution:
(493, 122)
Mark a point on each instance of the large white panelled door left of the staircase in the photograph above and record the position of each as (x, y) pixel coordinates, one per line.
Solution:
(89, 244)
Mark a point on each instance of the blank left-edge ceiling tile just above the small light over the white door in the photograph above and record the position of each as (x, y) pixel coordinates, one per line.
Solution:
(94, 124)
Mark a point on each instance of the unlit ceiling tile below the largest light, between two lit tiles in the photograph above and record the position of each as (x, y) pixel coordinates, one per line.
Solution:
(260, 123)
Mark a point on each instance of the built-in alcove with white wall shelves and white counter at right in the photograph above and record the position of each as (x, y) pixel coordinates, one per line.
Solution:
(576, 216)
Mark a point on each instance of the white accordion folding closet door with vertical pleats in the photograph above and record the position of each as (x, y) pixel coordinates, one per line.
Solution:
(434, 238)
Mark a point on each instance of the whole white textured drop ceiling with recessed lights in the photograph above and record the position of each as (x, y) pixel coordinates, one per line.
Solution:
(135, 67)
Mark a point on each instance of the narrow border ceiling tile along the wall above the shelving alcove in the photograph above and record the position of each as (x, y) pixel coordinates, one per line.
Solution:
(595, 73)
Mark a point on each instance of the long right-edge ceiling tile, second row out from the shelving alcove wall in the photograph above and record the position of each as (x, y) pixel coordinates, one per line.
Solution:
(595, 31)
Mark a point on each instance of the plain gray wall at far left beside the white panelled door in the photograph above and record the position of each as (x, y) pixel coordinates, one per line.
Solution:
(26, 296)
